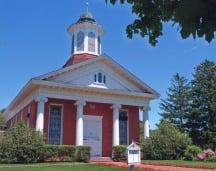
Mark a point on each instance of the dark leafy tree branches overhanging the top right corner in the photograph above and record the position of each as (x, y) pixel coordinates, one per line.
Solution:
(193, 17)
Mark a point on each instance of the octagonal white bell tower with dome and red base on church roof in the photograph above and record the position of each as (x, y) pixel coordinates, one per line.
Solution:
(86, 39)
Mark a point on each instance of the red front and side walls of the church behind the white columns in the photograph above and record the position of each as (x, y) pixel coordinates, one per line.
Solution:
(69, 120)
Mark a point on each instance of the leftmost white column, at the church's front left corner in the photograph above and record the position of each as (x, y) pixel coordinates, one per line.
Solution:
(40, 113)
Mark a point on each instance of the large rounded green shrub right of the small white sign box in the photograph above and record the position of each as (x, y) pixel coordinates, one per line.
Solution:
(165, 143)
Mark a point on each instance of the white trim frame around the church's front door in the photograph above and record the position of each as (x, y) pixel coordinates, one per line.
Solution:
(99, 119)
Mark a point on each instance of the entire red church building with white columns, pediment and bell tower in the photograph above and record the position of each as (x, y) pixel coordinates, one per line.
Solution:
(92, 100)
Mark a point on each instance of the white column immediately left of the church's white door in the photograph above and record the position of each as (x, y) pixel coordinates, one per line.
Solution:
(79, 123)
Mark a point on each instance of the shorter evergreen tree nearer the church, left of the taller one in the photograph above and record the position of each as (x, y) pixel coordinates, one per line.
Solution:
(175, 106)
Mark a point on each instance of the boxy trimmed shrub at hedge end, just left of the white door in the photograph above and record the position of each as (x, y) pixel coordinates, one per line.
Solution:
(83, 153)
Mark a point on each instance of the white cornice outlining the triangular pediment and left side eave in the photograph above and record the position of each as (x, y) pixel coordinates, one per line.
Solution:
(42, 80)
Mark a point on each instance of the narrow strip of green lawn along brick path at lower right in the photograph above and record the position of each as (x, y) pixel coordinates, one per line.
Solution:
(195, 164)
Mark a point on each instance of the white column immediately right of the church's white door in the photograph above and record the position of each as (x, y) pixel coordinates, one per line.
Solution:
(116, 108)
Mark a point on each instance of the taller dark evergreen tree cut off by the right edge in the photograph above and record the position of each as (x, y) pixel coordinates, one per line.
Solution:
(201, 120)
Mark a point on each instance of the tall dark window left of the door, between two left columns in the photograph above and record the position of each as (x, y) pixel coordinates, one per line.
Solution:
(55, 122)
